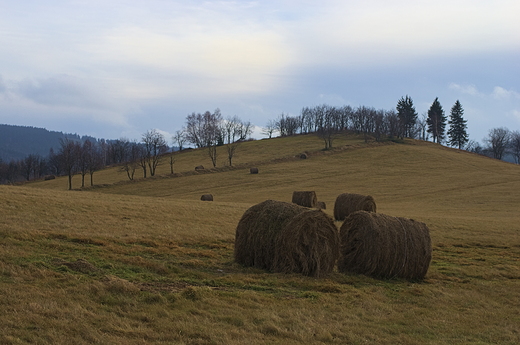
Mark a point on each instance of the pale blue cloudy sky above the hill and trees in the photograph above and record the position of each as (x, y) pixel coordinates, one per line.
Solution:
(114, 68)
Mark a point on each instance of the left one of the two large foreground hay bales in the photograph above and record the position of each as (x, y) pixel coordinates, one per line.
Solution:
(287, 238)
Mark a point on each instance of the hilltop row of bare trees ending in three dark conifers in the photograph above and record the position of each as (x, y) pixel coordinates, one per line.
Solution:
(329, 121)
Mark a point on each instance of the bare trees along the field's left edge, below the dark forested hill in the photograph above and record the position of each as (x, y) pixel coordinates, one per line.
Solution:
(203, 130)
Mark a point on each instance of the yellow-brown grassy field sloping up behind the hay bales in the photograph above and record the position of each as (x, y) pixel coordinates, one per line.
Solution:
(148, 262)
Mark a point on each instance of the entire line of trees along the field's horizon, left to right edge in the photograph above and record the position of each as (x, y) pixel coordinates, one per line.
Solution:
(209, 130)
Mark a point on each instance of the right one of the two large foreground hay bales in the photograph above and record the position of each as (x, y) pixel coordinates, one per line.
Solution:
(383, 246)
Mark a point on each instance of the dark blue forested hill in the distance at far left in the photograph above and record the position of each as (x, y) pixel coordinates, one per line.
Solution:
(17, 142)
